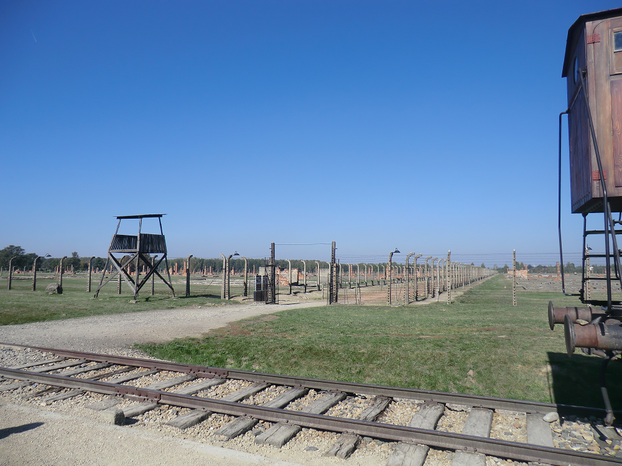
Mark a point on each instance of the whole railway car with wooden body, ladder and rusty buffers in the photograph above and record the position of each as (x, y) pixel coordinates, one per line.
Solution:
(593, 71)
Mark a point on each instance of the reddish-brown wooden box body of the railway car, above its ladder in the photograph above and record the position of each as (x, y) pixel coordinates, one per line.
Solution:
(594, 47)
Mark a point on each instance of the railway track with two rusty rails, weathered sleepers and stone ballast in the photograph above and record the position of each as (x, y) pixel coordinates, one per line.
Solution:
(276, 408)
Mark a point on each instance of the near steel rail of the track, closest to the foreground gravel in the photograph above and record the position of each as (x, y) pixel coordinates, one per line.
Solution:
(453, 441)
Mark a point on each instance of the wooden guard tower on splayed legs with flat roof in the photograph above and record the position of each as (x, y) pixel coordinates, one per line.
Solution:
(134, 249)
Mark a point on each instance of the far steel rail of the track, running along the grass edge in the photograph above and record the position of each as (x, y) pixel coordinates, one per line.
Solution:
(329, 385)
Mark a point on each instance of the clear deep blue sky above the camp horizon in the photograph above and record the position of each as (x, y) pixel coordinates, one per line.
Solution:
(426, 126)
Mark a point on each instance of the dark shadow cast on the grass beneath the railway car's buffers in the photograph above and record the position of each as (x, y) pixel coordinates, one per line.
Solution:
(576, 380)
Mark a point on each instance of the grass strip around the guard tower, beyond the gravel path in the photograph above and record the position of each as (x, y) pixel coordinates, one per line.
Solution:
(21, 305)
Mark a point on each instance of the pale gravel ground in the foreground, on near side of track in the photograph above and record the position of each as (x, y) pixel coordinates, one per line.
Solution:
(30, 436)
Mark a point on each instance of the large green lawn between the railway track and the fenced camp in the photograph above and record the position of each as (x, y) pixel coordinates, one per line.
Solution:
(479, 344)
